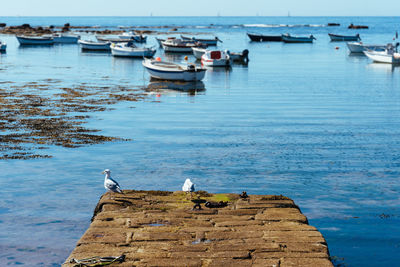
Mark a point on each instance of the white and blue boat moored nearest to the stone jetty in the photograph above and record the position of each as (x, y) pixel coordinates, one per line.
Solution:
(171, 71)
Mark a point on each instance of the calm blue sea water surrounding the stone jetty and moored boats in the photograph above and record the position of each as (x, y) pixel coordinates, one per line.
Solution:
(305, 120)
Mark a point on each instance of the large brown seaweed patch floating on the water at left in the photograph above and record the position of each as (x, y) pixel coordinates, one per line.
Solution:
(37, 115)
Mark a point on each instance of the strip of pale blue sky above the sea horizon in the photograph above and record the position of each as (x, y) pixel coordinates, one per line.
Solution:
(199, 8)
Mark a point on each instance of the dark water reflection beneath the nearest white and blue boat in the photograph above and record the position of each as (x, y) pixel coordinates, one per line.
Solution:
(161, 86)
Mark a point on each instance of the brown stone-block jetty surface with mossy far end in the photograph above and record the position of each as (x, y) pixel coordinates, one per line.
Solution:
(159, 228)
